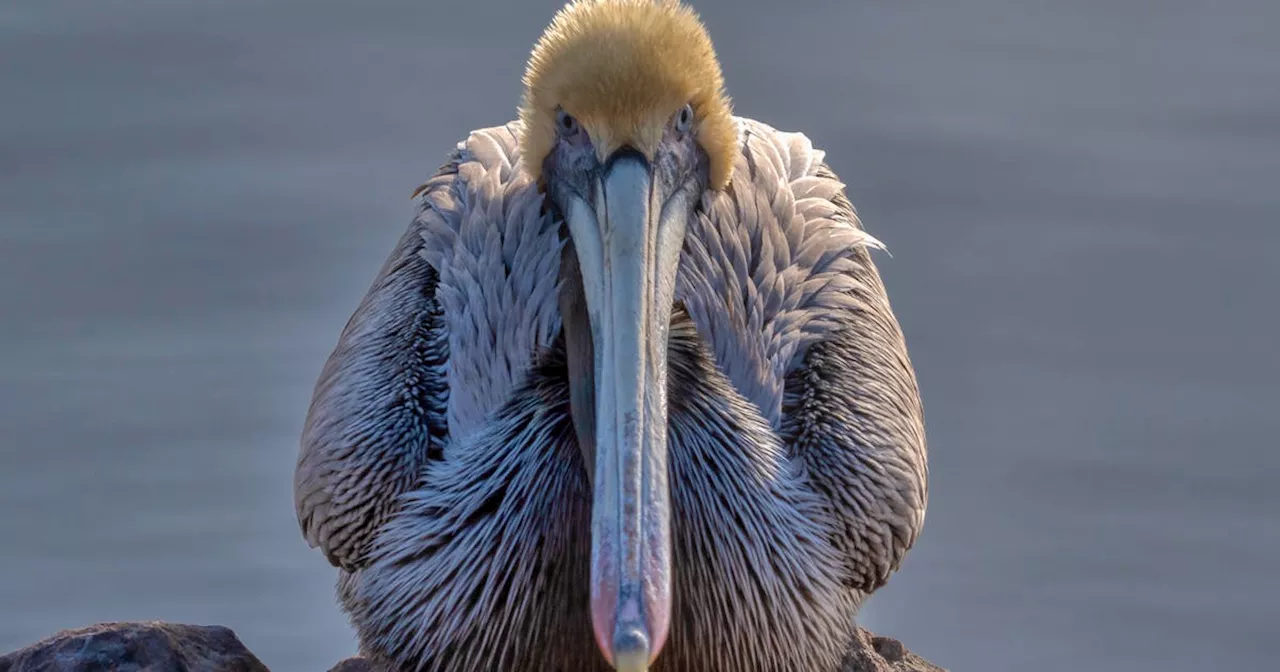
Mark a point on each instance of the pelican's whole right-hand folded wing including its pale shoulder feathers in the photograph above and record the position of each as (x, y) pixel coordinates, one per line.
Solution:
(779, 280)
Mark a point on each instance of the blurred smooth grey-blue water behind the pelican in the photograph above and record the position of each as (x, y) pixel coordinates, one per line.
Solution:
(1082, 200)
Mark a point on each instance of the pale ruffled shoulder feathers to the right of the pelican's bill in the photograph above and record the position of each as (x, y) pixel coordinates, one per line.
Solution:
(771, 262)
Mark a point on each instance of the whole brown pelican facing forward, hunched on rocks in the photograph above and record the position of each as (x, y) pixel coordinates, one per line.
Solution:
(630, 385)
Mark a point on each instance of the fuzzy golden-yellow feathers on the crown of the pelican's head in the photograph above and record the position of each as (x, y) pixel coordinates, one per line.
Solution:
(623, 68)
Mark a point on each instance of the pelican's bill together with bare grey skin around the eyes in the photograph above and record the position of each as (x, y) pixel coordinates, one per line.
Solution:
(627, 217)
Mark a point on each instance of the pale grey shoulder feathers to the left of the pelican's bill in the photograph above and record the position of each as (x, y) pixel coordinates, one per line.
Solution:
(484, 228)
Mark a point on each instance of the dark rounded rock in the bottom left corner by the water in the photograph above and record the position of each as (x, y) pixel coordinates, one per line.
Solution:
(136, 647)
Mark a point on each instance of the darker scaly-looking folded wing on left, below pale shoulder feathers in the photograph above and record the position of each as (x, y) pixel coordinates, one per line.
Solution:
(378, 410)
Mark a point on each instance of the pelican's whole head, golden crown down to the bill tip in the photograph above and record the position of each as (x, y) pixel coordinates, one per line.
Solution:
(627, 125)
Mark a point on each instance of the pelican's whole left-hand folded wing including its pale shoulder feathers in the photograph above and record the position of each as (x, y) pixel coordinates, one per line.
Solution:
(449, 330)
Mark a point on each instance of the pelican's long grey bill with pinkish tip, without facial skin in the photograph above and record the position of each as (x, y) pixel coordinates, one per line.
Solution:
(628, 253)
